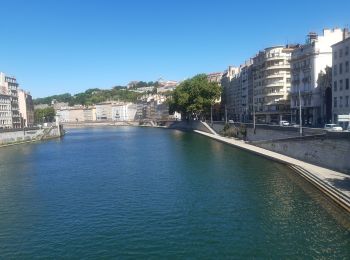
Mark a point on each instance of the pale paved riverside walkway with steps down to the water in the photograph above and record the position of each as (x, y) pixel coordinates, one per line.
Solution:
(335, 185)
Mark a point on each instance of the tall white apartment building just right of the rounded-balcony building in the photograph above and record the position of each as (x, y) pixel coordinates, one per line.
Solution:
(308, 61)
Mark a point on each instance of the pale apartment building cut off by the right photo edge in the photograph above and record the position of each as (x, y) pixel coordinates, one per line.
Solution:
(340, 80)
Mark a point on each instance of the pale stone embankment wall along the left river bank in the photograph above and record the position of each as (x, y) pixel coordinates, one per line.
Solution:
(29, 135)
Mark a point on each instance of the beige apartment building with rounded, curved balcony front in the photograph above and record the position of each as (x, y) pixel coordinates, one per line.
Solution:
(271, 84)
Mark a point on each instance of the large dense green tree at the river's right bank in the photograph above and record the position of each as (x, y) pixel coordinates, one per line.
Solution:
(194, 97)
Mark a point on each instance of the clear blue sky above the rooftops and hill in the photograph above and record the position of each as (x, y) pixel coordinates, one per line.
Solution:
(58, 46)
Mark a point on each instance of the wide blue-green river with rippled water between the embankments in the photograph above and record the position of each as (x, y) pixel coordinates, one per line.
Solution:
(133, 192)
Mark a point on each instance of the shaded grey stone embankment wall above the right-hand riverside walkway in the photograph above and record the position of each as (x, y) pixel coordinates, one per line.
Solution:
(316, 146)
